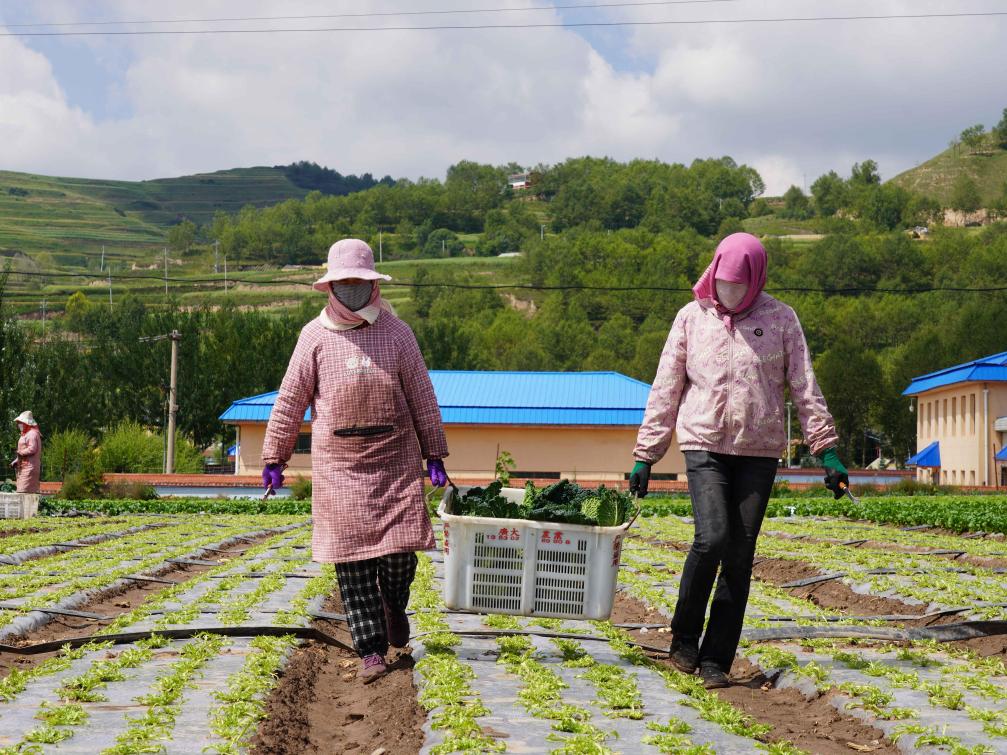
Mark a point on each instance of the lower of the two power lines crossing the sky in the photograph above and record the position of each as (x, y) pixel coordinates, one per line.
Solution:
(546, 26)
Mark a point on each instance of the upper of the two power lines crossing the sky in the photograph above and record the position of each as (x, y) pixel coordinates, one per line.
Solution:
(381, 15)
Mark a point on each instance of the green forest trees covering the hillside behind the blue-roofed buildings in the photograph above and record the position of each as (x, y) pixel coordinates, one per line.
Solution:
(610, 253)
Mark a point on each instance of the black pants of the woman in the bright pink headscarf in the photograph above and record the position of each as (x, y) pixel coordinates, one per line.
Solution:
(730, 497)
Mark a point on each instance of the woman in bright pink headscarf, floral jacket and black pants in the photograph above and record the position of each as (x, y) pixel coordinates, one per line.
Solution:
(721, 385)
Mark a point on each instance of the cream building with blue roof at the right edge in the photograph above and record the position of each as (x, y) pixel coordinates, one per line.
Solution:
(962, 423)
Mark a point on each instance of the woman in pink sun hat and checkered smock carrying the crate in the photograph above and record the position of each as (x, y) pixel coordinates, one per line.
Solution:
(374, 419)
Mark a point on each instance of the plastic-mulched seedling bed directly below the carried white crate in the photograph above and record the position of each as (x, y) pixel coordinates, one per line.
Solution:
(562, 694)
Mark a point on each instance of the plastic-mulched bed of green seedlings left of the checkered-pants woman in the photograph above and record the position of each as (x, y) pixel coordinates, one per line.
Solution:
(220, 719)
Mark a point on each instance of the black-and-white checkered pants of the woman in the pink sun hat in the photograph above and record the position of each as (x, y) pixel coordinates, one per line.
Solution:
(363, 584)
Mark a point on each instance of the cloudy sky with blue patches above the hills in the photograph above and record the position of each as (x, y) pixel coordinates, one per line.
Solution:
(793, 100)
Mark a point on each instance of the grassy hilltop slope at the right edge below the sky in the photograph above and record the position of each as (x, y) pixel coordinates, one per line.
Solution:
(937, 177)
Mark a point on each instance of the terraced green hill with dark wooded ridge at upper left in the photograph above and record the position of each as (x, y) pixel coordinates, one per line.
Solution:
(72, 218)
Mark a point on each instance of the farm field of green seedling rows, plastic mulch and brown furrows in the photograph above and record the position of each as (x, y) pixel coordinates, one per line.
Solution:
(860, 637)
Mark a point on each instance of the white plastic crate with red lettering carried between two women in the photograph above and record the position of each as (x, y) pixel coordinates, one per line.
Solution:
(529, 568)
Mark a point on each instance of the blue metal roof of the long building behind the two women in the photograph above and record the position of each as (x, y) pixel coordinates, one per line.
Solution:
(475, 398)
